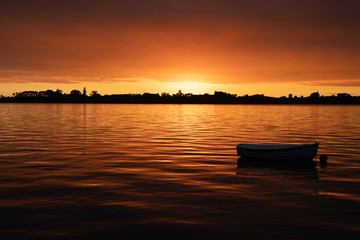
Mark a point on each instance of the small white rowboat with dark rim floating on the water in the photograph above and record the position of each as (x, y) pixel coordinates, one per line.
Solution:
(278, 152)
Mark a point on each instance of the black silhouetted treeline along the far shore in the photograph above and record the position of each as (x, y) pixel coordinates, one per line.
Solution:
(76, 96)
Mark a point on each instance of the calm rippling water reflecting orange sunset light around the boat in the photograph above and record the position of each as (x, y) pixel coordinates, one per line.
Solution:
(171, 172)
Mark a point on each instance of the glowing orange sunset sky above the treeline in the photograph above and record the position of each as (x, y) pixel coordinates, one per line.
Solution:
(271, 47)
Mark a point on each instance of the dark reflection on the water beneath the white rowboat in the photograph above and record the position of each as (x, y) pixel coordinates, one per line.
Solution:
(306, 166)
